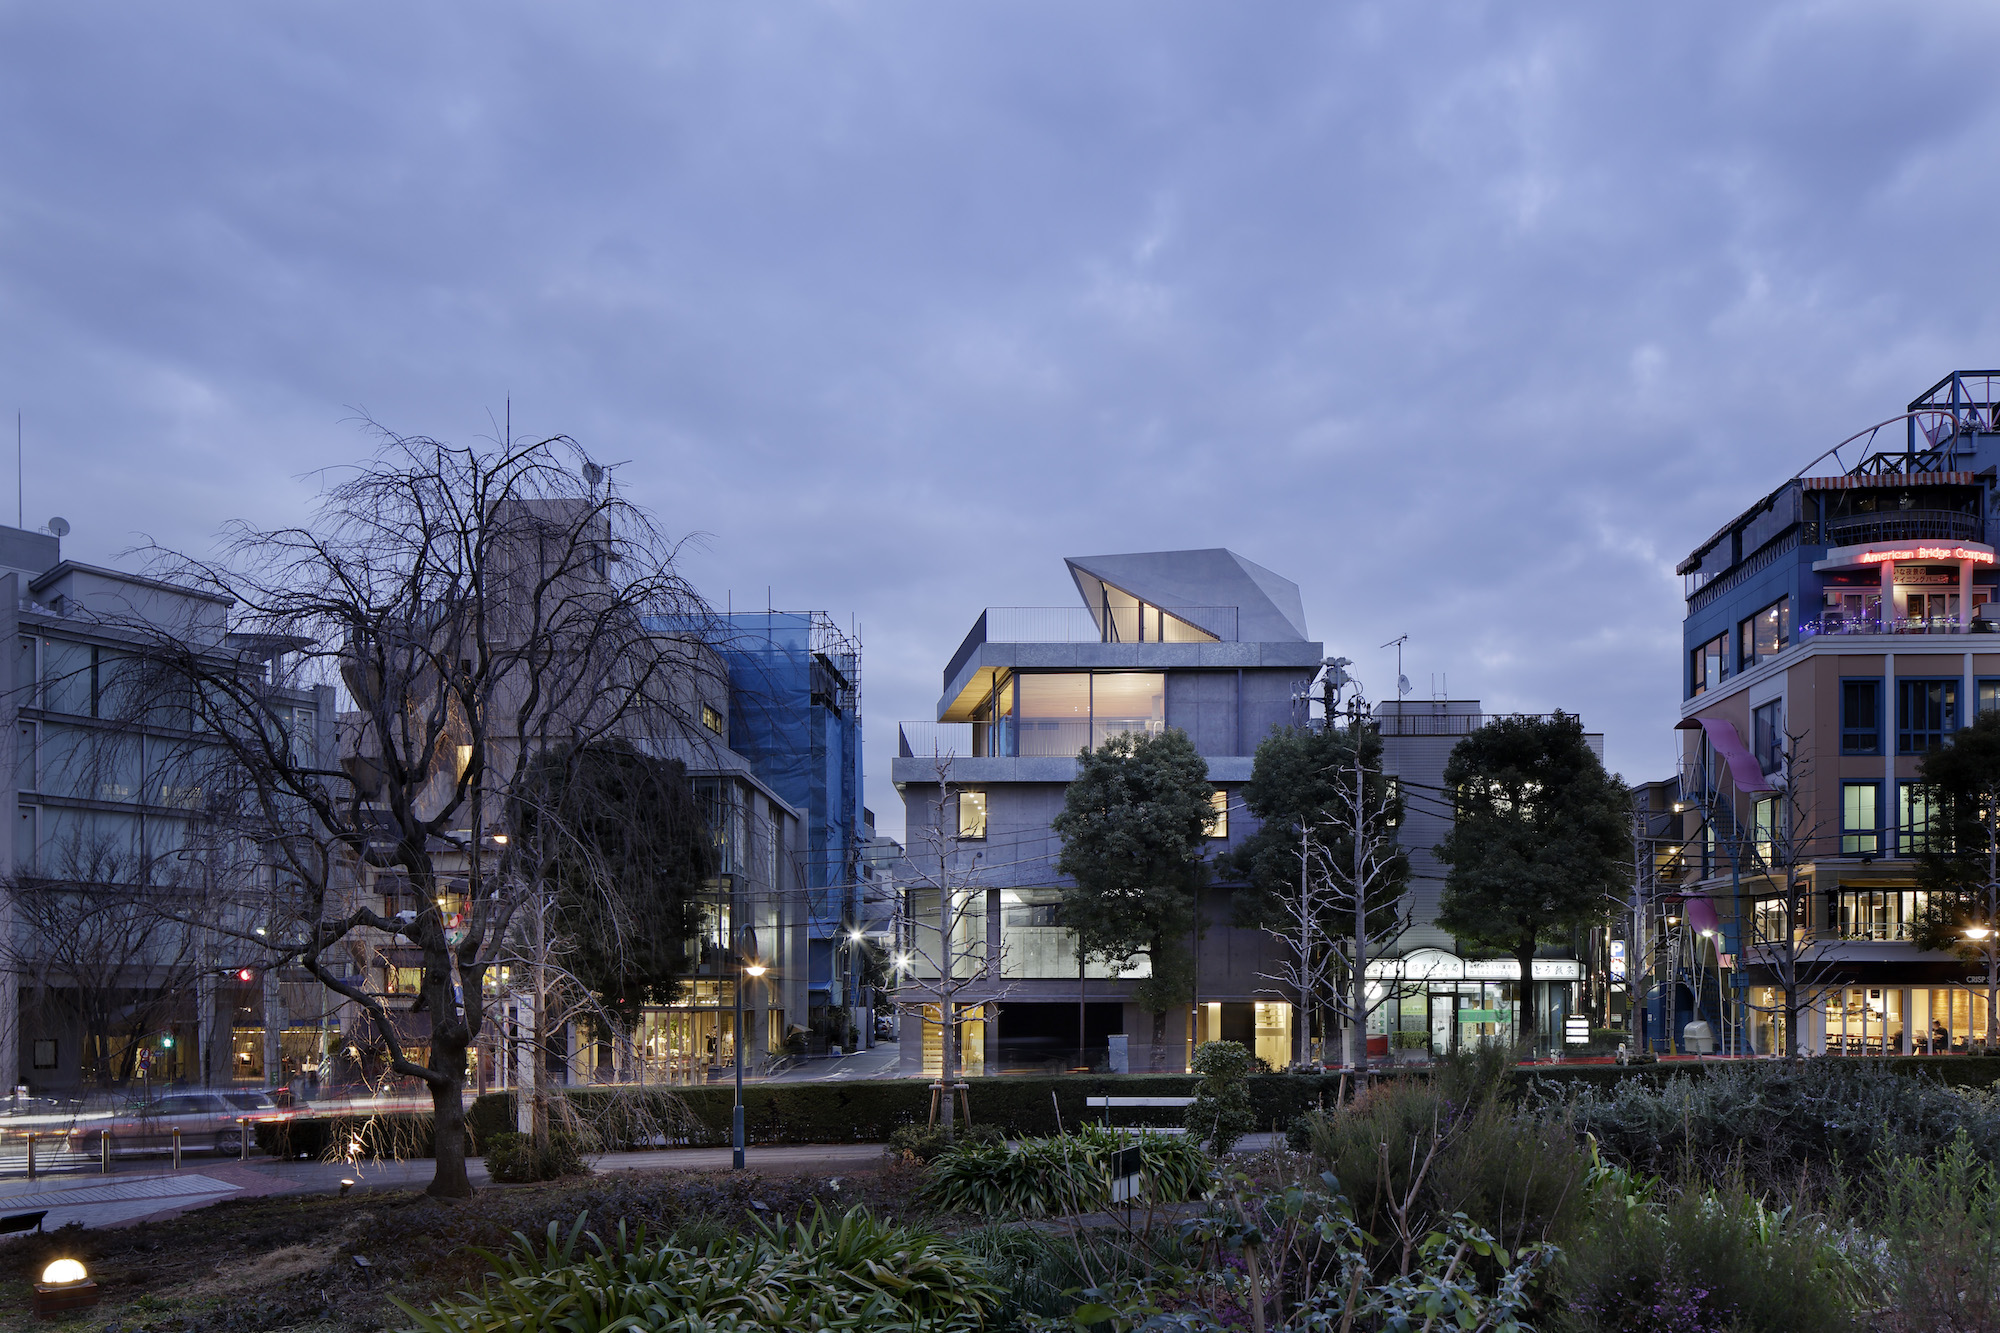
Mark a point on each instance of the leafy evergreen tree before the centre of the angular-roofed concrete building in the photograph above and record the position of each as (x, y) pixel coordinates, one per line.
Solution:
(1135, 824)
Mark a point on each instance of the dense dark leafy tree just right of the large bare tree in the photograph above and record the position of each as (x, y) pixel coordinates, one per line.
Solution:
(623, 856)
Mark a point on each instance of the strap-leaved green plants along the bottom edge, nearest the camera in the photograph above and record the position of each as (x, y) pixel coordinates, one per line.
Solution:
(851, 1276)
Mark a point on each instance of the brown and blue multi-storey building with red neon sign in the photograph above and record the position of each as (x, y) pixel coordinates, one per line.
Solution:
(1833, 633)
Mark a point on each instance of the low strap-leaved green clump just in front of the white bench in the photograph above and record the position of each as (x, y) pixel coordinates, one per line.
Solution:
(1067, 1174)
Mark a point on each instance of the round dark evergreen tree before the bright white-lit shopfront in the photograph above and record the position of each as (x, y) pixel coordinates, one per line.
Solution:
(1541, 844)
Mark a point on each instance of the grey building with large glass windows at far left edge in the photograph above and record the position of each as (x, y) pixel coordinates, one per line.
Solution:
(113, 792)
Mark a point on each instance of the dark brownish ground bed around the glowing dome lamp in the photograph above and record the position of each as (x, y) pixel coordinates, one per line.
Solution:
(319, 1264)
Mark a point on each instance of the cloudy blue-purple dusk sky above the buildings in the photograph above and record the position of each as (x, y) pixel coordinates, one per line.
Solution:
(1473, 319)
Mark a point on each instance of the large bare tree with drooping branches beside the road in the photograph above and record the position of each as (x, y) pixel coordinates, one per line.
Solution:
(485, 611)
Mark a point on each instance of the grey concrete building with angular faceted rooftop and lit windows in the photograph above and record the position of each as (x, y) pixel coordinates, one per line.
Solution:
(1203, 641)
